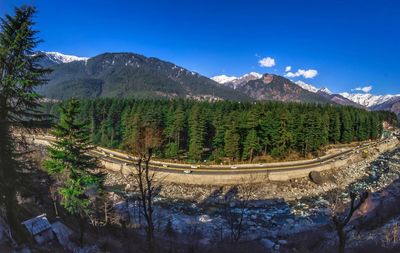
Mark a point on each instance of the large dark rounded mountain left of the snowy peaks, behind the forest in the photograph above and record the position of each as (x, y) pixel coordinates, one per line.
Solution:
(131, 75)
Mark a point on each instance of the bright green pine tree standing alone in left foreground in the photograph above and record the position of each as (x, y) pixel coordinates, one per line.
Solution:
(70, 163)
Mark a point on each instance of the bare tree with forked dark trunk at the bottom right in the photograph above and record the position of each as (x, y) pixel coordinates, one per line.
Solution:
(340, 220)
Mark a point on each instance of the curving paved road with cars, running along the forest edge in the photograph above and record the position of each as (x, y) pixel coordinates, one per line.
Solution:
(121, 158)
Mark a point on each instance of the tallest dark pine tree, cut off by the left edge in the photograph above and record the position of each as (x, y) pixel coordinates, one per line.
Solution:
(19, 103)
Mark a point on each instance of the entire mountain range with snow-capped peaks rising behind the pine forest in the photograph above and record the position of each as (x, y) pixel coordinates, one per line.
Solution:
(133, 75)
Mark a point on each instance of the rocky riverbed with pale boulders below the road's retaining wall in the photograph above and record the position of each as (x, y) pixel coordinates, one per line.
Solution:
(275, 210)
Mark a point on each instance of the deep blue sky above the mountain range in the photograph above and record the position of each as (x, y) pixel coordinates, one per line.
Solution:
(350, 43)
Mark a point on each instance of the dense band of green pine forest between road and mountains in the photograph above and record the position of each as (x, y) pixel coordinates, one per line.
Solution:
(233, 130)
